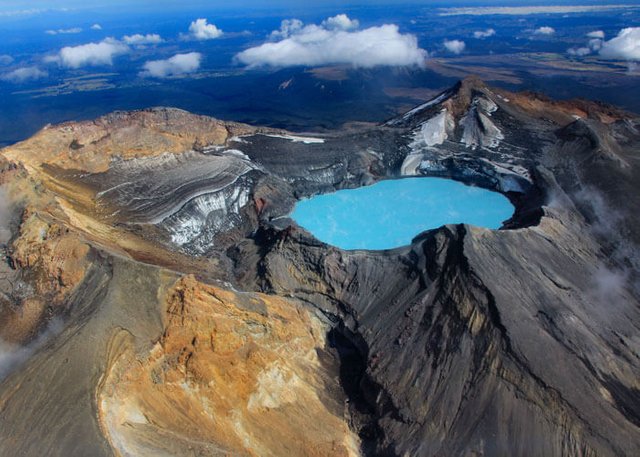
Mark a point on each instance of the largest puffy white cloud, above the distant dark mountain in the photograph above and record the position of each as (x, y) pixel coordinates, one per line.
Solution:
(315, 45)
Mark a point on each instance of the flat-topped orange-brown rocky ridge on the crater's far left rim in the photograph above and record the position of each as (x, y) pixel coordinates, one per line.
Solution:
(91, 145)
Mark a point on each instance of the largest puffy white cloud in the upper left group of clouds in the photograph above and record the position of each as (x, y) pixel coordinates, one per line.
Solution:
(101, 53)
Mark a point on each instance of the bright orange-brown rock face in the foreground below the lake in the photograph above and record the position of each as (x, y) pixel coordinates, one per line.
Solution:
(233, 374)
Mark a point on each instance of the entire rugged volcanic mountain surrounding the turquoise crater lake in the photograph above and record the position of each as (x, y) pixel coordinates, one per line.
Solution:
(157, 301)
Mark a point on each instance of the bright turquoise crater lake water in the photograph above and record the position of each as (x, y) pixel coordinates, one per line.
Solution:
(391, 213)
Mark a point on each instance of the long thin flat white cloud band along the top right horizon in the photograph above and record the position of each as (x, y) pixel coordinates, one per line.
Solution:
(526, 10)
